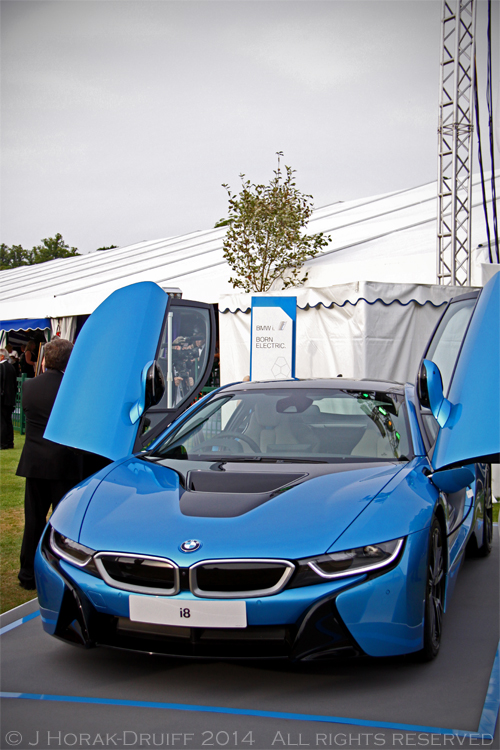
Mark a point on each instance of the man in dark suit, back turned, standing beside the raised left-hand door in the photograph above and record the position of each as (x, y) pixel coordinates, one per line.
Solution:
(51, 470)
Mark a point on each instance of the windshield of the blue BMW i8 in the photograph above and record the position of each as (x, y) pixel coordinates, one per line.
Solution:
(295, 424)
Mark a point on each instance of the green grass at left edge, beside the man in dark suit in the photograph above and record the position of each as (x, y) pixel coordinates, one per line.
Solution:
(12, 525)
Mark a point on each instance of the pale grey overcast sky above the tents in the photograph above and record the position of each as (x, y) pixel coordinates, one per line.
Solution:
(120, 120)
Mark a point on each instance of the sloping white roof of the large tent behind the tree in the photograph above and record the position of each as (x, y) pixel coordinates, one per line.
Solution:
(389, 238)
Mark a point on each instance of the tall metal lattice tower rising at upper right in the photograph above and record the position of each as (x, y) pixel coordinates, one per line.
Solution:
(456, 112)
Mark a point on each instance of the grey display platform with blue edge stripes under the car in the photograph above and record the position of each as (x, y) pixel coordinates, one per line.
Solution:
(57, 696)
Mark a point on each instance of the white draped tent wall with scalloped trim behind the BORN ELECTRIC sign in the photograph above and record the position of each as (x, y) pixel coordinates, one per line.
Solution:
(359, 330)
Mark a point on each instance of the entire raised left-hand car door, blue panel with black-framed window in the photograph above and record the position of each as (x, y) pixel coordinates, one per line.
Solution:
(139, 361)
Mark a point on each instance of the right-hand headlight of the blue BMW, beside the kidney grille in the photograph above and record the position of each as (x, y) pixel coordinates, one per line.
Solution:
(371, 557)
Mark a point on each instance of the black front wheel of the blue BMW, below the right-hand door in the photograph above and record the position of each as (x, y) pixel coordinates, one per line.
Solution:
(434, 593)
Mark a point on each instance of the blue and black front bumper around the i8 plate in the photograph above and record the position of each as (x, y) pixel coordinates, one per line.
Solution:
(378, 616)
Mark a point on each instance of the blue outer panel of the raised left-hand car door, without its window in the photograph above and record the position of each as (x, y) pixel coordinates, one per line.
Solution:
(104, 378)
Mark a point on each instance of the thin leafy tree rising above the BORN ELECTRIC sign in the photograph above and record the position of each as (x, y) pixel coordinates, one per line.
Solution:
(265, 240)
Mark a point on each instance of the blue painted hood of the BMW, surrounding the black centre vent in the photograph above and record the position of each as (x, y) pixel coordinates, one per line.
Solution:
(138, 508)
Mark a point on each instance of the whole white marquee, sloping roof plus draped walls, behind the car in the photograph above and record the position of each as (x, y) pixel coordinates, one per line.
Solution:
(371, 294)
